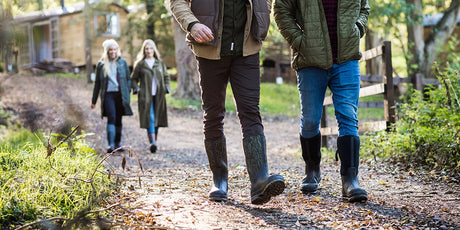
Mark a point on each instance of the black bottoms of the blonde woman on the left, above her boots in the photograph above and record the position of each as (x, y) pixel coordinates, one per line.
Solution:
(113, 108)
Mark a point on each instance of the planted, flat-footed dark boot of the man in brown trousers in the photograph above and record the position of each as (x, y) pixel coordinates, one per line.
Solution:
(217, 155)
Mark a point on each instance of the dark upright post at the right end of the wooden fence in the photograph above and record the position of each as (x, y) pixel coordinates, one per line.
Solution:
(388, 96)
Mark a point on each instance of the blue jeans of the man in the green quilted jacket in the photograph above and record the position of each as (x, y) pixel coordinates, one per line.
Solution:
(344, 82)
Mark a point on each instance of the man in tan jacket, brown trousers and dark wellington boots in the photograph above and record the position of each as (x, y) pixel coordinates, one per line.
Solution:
(226, 37)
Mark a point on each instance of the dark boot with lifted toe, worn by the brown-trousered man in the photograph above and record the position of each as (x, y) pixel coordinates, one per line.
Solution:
(263, 187)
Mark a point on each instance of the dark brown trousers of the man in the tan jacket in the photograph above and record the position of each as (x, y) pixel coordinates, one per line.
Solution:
(244, 76)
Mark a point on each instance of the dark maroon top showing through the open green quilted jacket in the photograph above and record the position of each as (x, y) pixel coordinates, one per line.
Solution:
(330, 10)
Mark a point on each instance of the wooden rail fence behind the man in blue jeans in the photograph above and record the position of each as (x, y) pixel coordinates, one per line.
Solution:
(383, 85)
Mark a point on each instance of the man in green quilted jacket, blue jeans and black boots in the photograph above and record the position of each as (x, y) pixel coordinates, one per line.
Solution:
(324, 38)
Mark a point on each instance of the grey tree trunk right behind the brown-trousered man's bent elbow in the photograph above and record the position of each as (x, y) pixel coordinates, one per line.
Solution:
(187, 73)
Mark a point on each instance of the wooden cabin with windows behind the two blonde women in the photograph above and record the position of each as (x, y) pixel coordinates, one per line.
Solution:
(60, 33)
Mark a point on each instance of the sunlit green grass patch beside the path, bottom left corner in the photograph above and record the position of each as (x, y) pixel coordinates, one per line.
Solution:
(34, 186)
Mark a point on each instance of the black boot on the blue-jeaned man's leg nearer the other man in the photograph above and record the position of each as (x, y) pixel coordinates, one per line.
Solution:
(311, 154)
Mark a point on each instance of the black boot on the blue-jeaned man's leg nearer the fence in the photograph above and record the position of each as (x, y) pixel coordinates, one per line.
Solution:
(348, 149)
